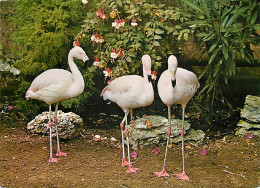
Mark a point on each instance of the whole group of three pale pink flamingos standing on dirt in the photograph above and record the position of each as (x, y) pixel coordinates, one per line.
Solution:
(175, 86)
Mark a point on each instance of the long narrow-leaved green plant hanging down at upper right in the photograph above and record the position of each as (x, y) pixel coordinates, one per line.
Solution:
(226, 29)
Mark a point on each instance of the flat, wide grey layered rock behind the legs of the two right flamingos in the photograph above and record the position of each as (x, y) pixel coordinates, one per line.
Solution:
(153, 130)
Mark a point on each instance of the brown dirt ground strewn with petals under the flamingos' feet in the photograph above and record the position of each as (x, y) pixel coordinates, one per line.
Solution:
(230, 162)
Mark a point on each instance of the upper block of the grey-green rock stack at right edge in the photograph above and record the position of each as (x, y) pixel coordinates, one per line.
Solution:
(251, 110)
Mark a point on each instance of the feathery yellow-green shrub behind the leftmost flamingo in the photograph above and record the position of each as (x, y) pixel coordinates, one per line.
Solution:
(44, 34)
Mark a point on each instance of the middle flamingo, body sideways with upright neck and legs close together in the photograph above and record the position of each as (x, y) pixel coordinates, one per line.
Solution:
(129, 92)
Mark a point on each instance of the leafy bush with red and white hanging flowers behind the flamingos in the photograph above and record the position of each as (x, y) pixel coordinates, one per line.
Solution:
(120, 32)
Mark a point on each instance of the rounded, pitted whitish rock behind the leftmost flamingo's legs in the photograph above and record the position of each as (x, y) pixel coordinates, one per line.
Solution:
(68, 124)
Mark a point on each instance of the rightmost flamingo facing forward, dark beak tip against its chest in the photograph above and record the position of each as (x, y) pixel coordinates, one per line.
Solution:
(176, 86)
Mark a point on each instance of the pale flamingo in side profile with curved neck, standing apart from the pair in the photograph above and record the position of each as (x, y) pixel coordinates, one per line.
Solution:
(56, 85)
